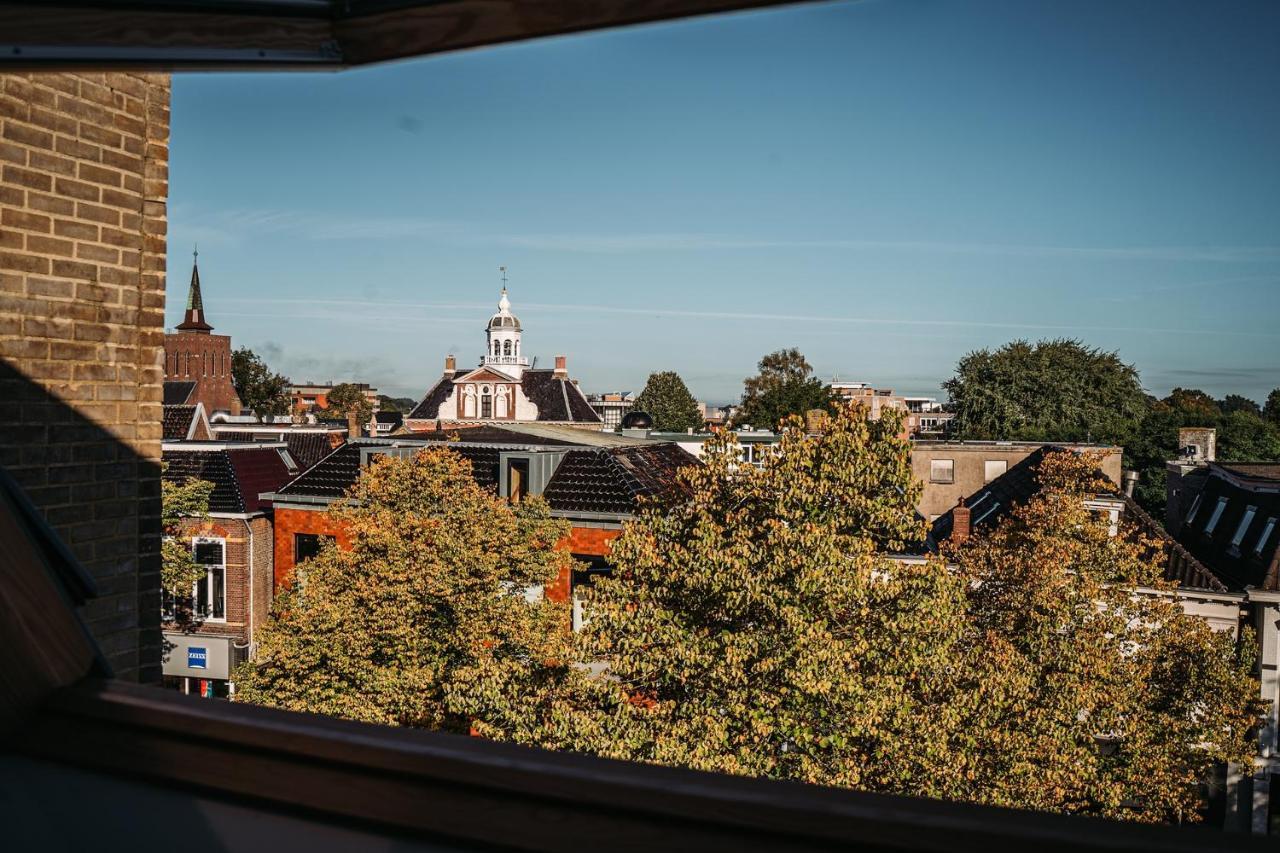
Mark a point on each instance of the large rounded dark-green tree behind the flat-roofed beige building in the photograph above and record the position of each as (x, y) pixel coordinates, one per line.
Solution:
(1055, 391)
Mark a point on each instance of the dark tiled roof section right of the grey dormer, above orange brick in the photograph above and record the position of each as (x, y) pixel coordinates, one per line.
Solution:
(614, 480)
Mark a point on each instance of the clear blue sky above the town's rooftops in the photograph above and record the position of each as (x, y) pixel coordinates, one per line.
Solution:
(885, 185)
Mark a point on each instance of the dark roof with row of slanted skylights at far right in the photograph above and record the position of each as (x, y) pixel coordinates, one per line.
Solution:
(1244, 565)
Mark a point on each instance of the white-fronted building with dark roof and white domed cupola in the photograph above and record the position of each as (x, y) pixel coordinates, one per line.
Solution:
(505, 389)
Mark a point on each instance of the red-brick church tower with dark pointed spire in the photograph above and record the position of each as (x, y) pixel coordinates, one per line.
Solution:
(199, 361)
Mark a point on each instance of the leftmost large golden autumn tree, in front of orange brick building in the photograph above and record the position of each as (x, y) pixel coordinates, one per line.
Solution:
(426, 621)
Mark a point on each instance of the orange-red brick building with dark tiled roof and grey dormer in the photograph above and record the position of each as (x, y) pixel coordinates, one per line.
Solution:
(595, 481)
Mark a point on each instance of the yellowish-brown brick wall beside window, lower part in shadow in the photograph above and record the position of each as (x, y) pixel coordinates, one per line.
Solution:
(84, 188)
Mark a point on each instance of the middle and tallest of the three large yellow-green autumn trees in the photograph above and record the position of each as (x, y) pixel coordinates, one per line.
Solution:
(753, 627)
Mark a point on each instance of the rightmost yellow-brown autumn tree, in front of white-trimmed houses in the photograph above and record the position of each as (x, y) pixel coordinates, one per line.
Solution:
(1113, 701)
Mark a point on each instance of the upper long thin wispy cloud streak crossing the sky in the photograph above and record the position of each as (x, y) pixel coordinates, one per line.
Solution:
(232, 227)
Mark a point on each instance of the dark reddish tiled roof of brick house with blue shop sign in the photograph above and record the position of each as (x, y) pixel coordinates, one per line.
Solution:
(239, 475)
